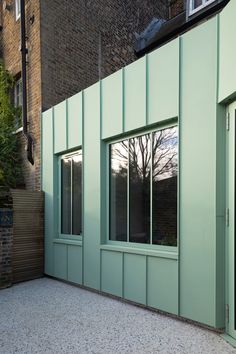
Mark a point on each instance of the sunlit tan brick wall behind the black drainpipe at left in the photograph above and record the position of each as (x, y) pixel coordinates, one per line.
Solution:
(10, 48)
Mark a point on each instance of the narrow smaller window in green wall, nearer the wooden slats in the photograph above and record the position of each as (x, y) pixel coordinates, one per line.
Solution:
(71, 194)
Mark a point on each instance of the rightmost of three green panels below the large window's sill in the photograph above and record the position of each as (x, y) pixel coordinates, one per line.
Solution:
(162, 284)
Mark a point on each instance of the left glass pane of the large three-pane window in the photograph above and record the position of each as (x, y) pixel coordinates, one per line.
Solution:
(118, 191)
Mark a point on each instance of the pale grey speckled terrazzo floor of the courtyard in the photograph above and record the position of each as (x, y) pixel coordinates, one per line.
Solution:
(47, 316)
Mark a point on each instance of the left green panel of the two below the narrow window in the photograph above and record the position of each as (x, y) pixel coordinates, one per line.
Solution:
(60, 261)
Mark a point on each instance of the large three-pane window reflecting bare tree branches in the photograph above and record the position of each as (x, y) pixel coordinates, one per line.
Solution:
(143, 188)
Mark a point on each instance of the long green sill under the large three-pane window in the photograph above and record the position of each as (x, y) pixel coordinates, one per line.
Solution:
(141, 251)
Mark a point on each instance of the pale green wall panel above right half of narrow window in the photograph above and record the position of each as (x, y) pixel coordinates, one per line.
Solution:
(75, 119)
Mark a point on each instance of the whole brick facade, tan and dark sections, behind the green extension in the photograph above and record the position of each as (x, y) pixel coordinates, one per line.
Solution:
(72, 44)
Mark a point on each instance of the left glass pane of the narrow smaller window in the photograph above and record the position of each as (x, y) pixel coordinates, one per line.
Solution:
(66, 196)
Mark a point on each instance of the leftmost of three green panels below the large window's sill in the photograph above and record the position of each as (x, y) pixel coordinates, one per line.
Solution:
(112, 272)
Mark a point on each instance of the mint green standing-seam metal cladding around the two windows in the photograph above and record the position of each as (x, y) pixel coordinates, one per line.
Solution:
(187, 81)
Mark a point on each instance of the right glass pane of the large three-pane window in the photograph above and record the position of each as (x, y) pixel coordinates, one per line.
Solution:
(164, 186)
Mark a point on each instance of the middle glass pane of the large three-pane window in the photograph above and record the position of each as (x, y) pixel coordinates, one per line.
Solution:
(139, 189)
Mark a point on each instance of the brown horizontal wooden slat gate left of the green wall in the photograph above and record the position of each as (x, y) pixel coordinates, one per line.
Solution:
(28, 230)
